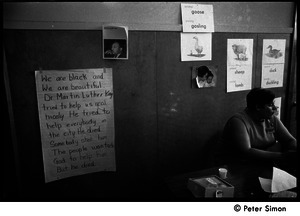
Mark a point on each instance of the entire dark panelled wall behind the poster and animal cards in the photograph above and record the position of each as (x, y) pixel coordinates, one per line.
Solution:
(162, 125)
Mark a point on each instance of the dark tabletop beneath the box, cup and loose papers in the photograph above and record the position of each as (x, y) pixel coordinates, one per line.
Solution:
(244, 178)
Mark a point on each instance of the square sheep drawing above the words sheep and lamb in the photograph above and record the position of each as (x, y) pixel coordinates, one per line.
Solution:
(239, 51)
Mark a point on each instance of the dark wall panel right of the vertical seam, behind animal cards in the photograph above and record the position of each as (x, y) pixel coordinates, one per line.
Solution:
(190, 120)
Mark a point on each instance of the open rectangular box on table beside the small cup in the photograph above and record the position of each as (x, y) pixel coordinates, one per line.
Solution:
(210, 186)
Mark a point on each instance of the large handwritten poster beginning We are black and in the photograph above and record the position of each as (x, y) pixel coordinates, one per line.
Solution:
(76, 121)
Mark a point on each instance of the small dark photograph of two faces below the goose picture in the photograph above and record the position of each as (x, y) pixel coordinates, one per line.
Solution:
(204, 76)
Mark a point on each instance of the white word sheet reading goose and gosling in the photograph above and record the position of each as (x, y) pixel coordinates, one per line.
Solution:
(197, 18)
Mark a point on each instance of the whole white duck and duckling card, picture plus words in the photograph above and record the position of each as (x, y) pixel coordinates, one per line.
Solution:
(273, 63)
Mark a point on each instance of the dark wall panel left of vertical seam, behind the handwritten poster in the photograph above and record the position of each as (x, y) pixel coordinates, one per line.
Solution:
(134, 108)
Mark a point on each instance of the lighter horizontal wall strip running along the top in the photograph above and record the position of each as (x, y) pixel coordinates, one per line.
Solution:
(248, 17)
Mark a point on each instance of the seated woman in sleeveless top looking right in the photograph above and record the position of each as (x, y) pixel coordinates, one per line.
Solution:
(253, 135)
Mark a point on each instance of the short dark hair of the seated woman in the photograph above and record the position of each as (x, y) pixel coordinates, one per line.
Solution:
(260, 97)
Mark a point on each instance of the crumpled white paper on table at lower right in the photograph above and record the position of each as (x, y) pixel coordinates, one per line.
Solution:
(280, 181)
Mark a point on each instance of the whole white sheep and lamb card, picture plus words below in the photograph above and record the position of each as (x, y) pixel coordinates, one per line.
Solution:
(239, 64)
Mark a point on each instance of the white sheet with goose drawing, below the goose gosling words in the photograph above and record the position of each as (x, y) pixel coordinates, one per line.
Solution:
(196, 46)
